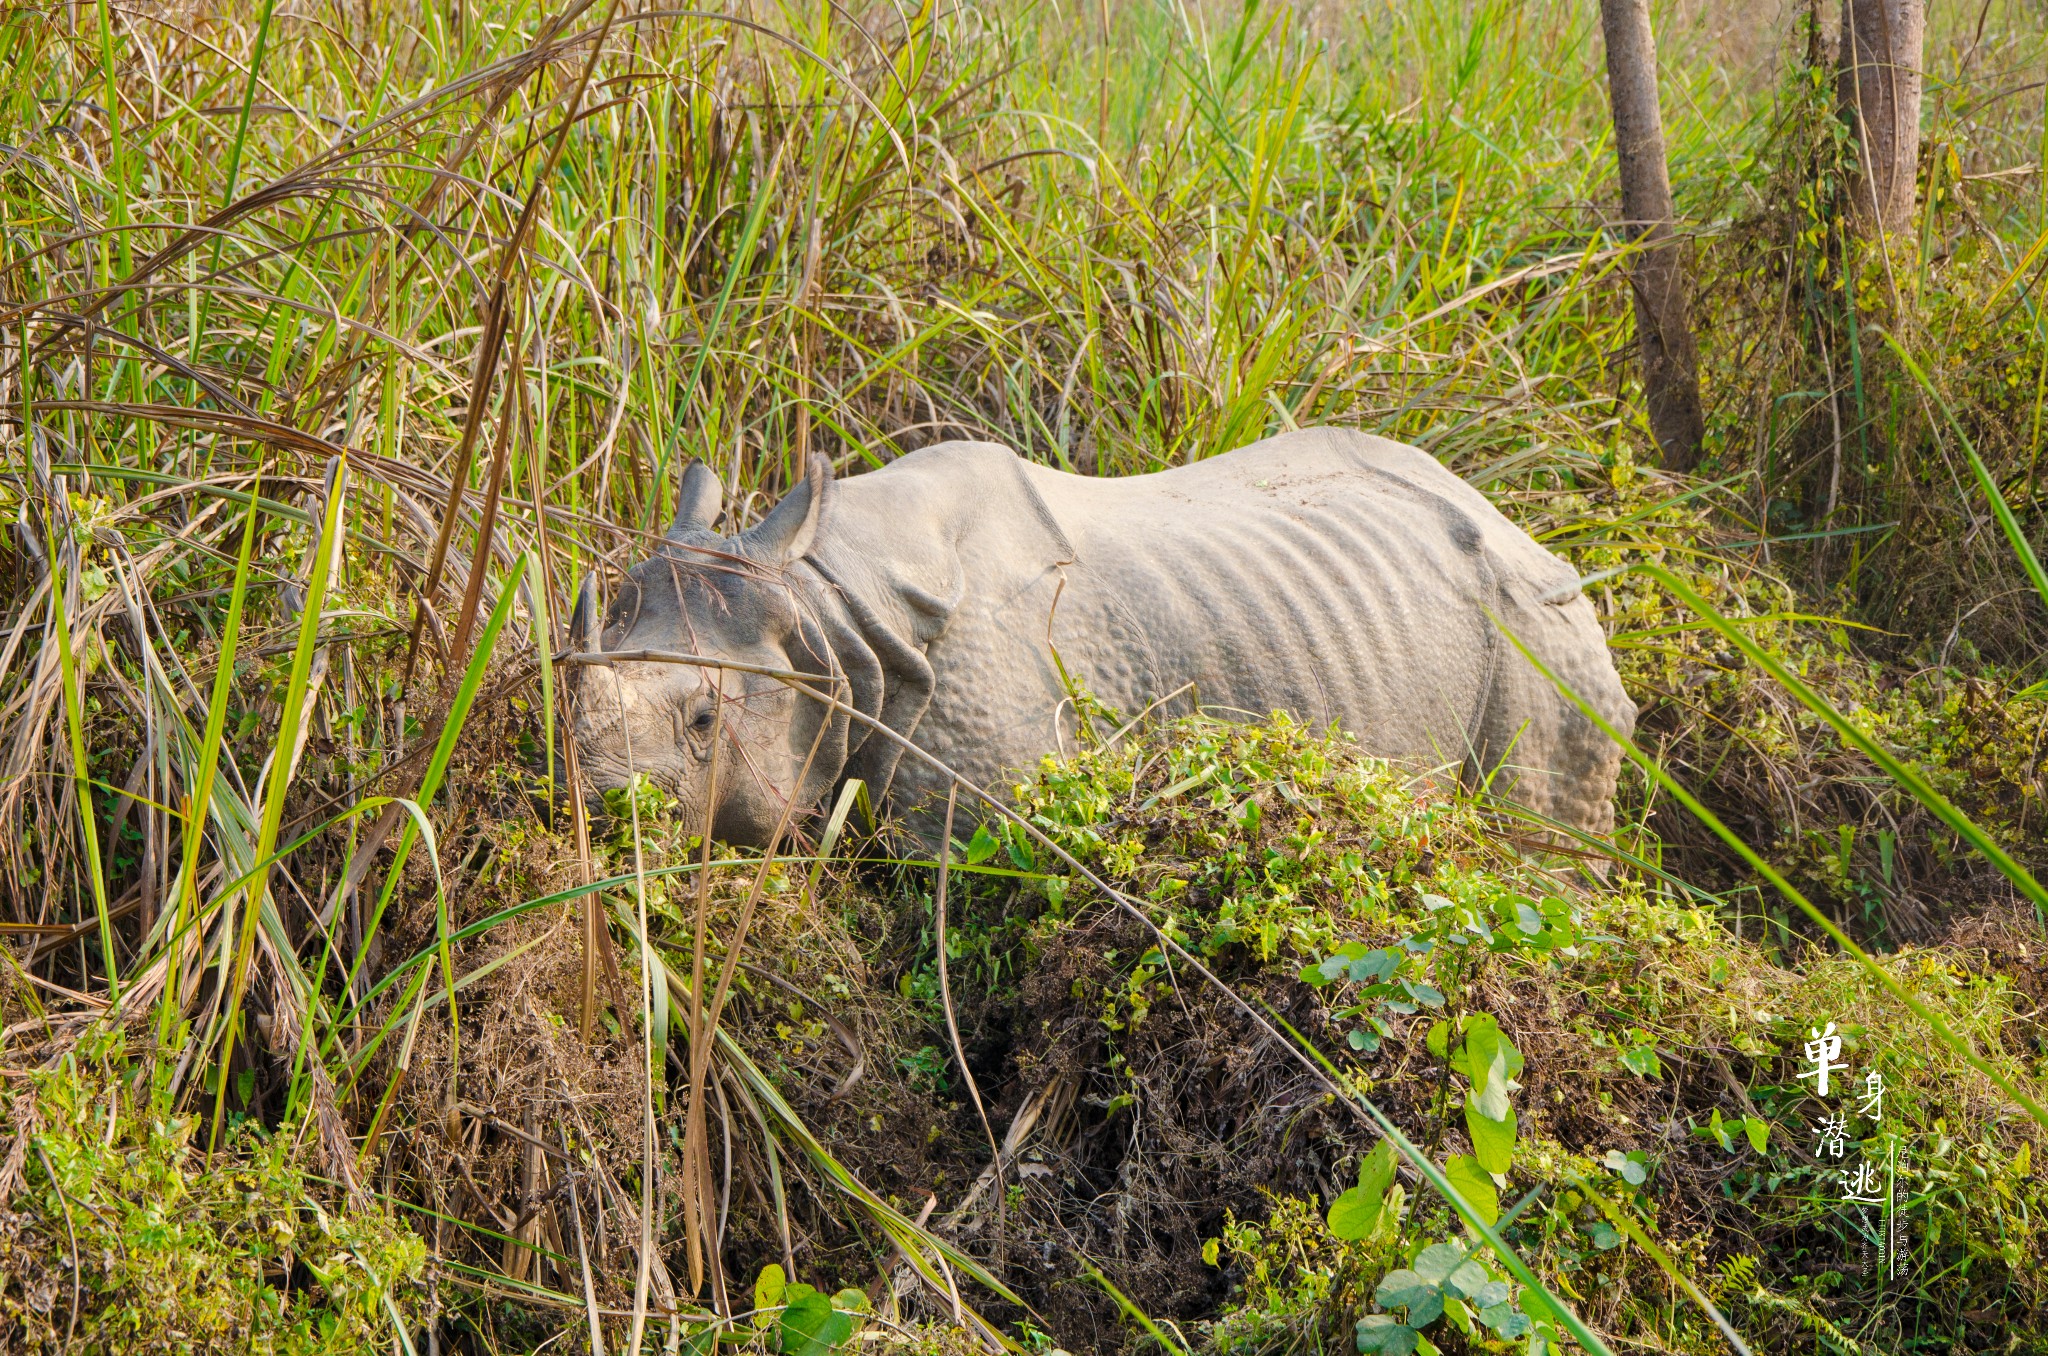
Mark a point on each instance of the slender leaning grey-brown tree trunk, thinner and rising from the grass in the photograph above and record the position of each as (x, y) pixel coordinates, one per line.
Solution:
(1658, 276)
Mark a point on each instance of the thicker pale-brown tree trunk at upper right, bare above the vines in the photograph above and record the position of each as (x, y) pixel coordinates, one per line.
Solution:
(1881, 89)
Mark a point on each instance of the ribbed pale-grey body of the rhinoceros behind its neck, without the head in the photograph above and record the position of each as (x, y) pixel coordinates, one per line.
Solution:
(1328, 575)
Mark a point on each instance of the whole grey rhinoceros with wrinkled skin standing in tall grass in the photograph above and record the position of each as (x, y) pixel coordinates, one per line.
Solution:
(1324, 573)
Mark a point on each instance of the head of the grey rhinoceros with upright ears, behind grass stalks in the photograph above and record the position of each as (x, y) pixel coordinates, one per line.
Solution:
(724, 599)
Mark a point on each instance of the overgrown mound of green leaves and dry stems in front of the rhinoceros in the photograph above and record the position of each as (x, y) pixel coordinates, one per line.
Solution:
(1654, 1064)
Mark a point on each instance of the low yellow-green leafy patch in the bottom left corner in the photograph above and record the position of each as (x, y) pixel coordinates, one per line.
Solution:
(249, 1255)
